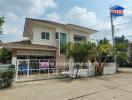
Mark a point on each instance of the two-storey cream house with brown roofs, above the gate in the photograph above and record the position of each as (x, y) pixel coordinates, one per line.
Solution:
(47, 40)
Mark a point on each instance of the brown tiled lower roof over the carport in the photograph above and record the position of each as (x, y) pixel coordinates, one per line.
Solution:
(27, 45)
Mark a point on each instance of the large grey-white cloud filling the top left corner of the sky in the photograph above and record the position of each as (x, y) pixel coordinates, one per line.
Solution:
(26, 7)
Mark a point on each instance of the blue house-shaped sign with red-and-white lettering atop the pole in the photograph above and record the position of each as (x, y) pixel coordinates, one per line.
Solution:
(117, 11)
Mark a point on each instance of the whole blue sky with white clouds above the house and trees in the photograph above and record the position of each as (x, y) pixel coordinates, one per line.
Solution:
(88, 13)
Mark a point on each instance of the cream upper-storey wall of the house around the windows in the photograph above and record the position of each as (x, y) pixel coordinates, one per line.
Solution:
(52, 41)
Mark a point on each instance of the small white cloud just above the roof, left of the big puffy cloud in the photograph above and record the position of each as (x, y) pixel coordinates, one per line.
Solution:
(54, 16)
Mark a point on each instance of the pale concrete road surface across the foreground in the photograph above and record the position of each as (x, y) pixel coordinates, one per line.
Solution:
(111, 87)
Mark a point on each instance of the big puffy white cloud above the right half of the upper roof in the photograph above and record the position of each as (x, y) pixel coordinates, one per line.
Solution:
(81, 16)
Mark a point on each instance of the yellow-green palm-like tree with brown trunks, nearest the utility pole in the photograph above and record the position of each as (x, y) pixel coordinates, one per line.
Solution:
(103, 49)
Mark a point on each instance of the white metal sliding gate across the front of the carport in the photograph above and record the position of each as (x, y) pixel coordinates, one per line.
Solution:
(36, 69)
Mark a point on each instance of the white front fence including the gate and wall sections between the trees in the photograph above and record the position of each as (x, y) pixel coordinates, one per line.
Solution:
(34, 69)
